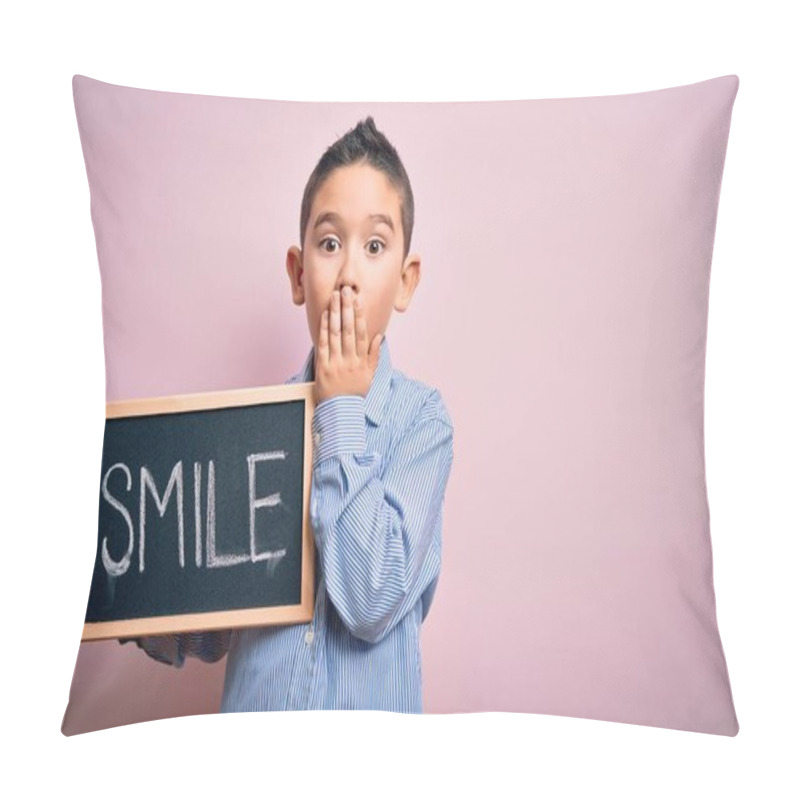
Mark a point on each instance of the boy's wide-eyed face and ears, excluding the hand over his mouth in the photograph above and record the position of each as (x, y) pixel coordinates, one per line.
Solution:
(346, 244)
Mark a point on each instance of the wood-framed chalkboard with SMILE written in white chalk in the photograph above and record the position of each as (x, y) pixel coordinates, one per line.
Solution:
(203, 520)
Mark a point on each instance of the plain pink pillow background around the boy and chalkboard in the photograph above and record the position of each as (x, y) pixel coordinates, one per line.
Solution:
(565, 248)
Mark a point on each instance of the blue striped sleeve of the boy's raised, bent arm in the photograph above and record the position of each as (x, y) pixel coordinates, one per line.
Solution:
(374, 523)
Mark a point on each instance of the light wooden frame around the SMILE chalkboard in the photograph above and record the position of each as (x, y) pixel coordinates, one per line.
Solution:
(234, 618)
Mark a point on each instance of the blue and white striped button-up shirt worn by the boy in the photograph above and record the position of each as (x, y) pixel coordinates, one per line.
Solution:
(380, 468)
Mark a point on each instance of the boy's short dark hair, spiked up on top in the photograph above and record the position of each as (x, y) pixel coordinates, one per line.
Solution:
(363, 144)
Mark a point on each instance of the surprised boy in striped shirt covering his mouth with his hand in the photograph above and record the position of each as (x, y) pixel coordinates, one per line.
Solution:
(382, 451)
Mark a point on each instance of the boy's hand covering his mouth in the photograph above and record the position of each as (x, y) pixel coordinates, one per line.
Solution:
(345, 361)
